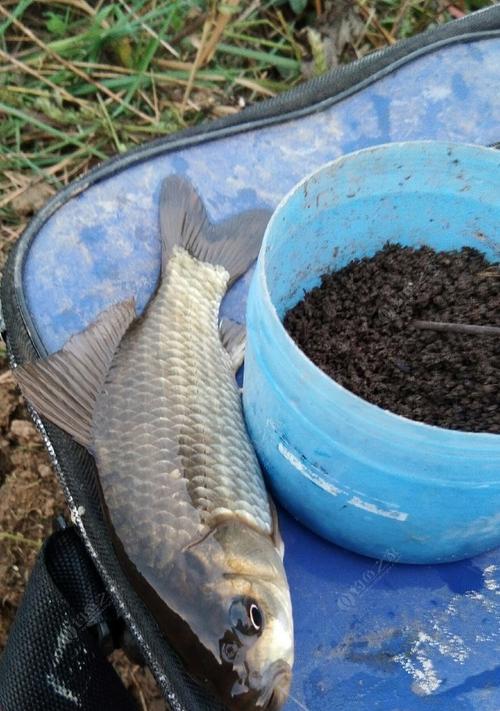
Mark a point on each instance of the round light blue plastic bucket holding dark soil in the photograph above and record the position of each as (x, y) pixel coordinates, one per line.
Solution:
(366, 478)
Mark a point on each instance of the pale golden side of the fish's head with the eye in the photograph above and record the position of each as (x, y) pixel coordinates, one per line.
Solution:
(254, 627)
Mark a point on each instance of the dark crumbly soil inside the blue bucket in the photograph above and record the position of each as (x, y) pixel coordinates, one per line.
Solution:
(357, 327)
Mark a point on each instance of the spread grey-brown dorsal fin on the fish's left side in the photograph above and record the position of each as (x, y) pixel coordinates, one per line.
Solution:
(64, 387)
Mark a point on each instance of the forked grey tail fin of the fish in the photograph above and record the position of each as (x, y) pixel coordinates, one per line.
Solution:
(233, 244)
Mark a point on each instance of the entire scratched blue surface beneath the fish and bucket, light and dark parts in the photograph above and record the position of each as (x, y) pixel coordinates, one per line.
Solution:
(368, 635)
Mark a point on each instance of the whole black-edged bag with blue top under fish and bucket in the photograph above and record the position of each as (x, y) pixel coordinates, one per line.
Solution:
(400, 637)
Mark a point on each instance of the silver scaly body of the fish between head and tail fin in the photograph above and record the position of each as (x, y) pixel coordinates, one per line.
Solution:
(171, 445)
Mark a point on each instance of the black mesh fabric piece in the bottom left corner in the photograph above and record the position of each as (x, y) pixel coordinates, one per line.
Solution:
(54, 659)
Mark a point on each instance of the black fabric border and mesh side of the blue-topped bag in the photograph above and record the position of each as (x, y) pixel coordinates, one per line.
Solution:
(76, 605)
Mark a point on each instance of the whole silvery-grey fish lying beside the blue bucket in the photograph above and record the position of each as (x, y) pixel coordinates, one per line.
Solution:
(154, 399)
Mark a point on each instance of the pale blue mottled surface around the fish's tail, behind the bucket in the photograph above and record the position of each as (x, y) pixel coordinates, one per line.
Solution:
(103, 245)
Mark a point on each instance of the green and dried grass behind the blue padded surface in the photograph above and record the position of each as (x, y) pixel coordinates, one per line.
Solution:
(81, 80)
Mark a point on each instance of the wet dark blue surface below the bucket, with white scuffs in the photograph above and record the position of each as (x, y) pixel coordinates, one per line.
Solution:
(381, 635)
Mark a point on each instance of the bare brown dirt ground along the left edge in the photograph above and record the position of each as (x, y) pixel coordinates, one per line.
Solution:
(30, 500)
